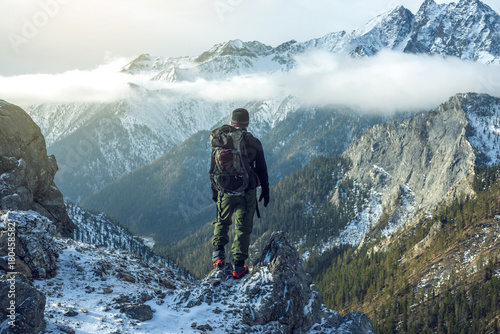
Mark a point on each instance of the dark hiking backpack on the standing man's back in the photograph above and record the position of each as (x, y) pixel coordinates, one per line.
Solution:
(230, 170)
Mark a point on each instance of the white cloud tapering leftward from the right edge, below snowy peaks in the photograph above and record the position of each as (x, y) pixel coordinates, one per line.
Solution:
(388, 82)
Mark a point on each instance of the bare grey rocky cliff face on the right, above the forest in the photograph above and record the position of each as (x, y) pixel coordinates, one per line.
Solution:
(412, 166)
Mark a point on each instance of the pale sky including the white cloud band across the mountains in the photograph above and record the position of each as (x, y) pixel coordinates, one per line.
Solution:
(56, 50)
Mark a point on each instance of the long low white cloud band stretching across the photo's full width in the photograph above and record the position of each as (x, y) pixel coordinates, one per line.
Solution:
(388, 82)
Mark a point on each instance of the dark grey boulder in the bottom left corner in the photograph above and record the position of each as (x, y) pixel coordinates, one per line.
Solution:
(29, 306)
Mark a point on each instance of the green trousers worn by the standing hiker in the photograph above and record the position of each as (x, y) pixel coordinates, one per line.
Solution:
(243, 208)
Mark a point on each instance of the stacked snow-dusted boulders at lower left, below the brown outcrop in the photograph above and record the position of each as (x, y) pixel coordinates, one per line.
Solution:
(27, 252)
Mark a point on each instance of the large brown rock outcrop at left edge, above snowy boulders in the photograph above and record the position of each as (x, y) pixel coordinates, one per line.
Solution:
(26, 172)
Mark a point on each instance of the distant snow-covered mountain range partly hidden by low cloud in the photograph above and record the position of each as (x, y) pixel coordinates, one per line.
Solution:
(99, 142)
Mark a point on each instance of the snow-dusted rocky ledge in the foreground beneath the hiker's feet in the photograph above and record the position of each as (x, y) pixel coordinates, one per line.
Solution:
(104, 290)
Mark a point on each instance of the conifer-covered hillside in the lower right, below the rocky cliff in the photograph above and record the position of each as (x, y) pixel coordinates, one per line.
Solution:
(385, 284)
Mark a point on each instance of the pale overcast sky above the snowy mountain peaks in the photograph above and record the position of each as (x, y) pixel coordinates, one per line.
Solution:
(53, 36)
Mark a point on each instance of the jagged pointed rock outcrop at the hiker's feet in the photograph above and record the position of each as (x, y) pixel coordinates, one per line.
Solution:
(277, 296)
